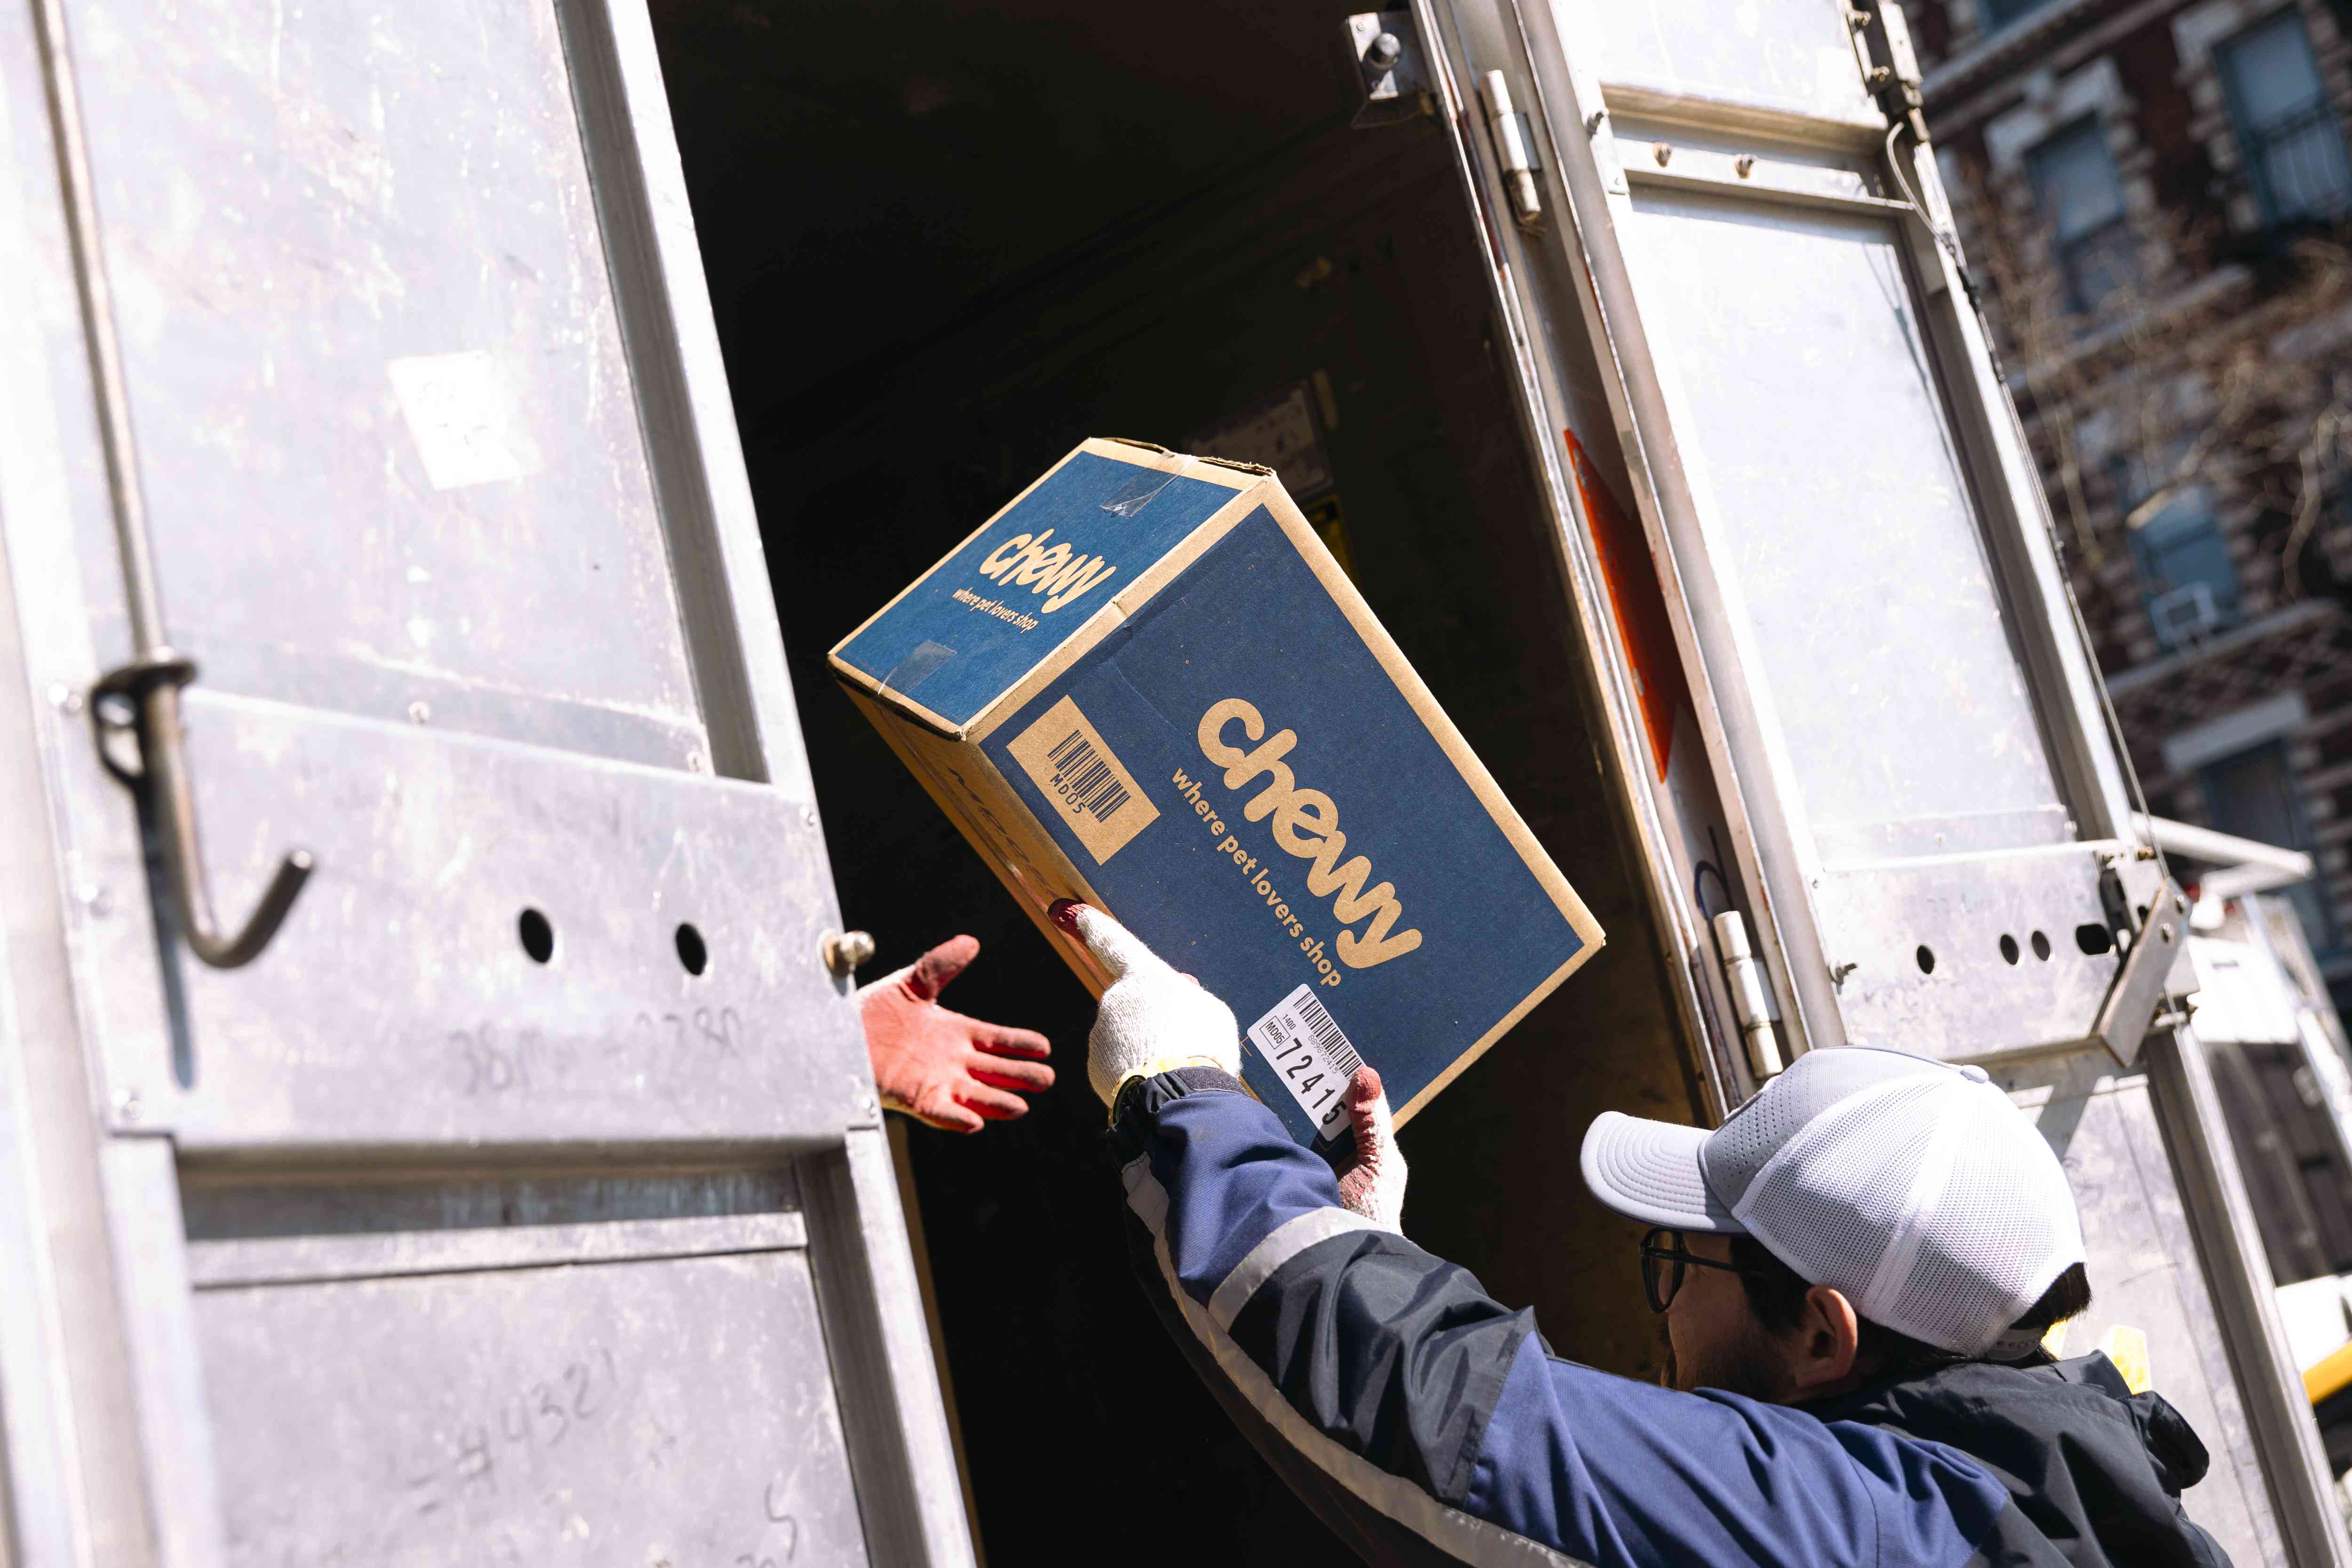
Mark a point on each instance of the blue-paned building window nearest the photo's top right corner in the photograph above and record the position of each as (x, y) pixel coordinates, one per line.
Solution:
(2285, 123)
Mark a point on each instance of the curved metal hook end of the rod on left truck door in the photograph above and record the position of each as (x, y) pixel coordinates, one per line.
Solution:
(149, 692)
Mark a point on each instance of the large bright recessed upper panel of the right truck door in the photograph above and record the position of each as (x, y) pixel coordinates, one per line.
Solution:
(1822, 462)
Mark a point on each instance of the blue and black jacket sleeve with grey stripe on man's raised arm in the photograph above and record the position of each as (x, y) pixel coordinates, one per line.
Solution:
(1396, 1386)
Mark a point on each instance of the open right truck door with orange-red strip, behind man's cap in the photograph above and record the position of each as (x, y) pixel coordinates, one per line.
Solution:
(1850, 706)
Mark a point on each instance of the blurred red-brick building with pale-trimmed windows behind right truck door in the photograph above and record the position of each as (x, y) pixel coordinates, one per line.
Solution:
(2158, 206)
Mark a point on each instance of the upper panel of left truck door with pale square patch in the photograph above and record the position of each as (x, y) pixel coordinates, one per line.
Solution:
(298, 201)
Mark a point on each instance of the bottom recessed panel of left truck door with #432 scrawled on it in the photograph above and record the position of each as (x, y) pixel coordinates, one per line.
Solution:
(622, 1416)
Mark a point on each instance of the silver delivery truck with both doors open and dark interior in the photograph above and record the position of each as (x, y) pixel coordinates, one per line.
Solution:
(443, 445)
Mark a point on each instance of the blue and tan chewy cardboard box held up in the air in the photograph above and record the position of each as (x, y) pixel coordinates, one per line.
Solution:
(1147, 685)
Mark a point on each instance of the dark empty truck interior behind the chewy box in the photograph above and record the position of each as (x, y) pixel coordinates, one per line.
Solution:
(949, 241)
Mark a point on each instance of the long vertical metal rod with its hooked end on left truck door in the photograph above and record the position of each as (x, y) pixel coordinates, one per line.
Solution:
(152, 683)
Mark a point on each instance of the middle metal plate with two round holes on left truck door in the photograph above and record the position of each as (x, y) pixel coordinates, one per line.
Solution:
(399, 1007)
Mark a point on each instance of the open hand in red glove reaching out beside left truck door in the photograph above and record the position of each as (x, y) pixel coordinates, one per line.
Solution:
(942, 1068)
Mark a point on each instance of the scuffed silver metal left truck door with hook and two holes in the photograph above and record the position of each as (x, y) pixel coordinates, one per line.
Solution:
(507, 1181)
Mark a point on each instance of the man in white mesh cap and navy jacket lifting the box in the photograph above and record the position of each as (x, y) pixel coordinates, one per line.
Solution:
(1857, 1273)
